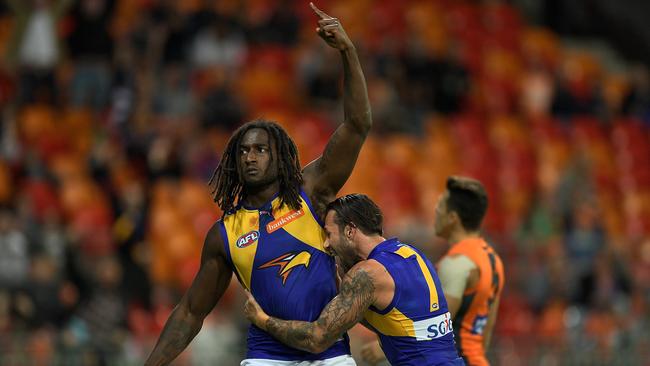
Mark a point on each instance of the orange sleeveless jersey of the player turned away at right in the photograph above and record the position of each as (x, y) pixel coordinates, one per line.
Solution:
(475, 306)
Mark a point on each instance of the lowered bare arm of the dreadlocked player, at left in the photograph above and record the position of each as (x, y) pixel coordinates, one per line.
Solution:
(187, 318)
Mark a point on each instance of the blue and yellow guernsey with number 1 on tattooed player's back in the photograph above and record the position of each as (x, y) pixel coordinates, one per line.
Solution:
(415, 328)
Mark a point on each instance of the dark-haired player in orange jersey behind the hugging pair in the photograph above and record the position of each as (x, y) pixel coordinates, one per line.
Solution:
(471, 272)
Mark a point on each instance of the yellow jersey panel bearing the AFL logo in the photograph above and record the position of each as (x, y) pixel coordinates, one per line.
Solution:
(243, 221)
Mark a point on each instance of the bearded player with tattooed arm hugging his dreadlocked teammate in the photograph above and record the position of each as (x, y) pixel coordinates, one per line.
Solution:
(389, 284)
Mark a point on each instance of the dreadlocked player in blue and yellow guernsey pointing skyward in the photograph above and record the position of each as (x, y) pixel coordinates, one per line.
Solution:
(271, 234)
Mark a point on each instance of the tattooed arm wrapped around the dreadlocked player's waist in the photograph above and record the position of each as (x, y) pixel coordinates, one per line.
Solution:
(342, 313)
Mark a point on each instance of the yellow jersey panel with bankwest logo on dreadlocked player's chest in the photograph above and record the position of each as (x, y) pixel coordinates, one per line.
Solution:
(305, 228)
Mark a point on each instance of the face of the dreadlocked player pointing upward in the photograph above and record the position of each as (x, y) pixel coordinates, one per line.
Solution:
(256, 167)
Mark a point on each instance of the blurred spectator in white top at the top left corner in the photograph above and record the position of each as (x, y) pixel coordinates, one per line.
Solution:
(35, 50)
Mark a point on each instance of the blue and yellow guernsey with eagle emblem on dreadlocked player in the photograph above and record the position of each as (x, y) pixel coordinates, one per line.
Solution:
(277, 253)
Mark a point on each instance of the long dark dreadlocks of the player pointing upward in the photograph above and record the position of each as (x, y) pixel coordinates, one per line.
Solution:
(226, 183)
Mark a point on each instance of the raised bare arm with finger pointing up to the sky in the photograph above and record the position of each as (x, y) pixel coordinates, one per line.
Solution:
(325, 176)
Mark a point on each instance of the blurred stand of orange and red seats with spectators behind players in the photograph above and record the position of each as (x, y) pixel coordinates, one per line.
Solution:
(113, 114)
